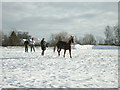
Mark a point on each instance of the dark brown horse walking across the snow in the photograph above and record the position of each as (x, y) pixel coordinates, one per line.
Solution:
(64, 45)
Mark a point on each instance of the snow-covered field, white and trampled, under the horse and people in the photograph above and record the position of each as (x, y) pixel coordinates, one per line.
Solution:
(89, 68)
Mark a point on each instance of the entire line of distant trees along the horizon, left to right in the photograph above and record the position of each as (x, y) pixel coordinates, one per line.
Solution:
(112, 37)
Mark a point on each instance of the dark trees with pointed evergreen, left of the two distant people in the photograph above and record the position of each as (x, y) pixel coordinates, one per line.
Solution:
(15, 38)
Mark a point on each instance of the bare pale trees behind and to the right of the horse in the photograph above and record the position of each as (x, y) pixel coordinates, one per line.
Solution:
(112, 37)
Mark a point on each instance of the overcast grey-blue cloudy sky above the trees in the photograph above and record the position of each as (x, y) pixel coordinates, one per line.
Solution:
(41, 19)
